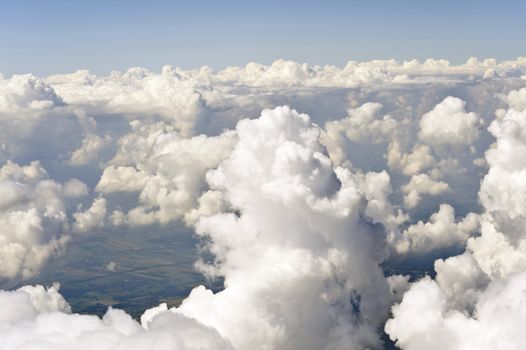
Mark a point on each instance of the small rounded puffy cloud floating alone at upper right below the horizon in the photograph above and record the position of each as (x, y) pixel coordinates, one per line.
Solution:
(449, 124)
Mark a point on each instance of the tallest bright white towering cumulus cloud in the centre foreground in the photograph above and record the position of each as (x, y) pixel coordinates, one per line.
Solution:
(298, 250)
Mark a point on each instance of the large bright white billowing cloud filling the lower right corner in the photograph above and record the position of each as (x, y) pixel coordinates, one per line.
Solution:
(477, 298)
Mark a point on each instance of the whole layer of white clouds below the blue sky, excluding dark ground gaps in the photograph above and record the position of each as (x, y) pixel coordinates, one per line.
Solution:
(301, 182)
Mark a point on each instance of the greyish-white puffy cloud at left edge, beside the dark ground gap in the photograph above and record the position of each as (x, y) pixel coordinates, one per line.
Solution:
(33, 222)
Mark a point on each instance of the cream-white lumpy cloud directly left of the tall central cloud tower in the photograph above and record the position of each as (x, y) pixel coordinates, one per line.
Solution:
(167, 169)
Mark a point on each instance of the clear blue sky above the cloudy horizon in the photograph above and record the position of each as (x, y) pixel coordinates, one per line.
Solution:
(45, 37)
